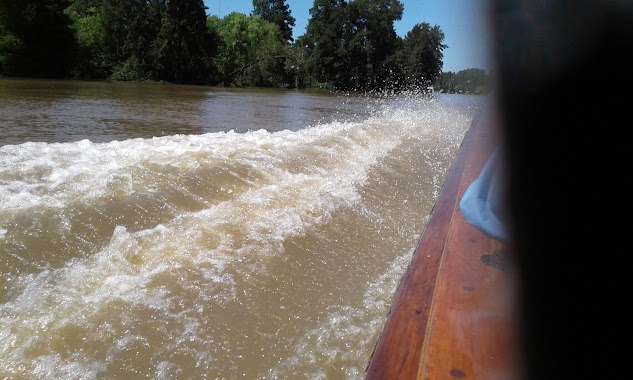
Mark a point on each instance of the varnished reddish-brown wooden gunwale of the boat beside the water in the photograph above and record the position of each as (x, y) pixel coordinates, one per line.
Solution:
(452, 315)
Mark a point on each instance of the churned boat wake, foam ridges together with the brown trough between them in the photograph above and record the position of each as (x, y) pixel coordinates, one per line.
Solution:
(170, 228)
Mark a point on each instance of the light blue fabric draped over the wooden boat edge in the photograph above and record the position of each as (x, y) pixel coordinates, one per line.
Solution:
(482, 204)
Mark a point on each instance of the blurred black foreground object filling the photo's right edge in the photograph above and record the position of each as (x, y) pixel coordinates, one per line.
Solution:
(564, 77)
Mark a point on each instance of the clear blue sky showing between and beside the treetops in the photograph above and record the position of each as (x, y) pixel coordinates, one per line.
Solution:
(462, 21)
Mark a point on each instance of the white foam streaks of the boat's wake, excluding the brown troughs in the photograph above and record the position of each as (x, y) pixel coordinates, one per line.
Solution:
(303, 177)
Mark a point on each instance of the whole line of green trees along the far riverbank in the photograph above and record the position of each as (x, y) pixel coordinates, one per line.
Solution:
(348, 45)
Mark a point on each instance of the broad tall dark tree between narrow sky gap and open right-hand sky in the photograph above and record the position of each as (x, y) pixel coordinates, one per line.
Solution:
(353, 43)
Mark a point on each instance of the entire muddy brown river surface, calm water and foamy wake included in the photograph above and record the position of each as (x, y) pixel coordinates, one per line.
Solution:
(183, 232)
